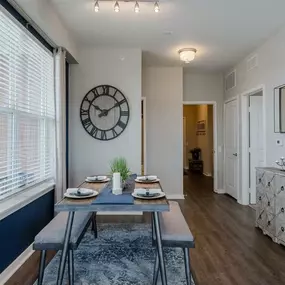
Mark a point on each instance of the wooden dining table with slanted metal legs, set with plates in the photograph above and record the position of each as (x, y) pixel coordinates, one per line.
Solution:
(153, 206)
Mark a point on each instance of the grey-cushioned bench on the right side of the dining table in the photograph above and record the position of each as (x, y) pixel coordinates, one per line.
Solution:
(175, 233)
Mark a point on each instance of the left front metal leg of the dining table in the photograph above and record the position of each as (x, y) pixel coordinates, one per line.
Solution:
(65, 248)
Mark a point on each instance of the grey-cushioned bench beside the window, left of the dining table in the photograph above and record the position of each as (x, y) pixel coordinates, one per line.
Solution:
(52, 238)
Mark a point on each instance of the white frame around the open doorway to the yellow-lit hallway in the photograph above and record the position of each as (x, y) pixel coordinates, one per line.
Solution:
(215, 135)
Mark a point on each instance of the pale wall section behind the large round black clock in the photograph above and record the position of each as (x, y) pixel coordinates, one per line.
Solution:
(104, 66)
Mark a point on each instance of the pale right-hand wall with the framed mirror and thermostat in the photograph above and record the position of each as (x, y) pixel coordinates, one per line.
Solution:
(270, 73)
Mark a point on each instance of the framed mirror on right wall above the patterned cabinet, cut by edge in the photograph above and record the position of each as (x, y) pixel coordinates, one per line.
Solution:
(279, 109)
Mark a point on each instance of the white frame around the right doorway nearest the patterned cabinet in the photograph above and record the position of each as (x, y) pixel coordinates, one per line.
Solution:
(244, 149)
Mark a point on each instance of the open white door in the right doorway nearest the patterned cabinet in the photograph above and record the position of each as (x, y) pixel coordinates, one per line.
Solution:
(256, 141)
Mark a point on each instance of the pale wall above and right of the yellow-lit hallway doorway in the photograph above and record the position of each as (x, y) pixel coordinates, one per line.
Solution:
(208, 87)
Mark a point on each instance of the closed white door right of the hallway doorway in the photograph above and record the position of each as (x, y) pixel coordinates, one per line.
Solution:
(231, 153)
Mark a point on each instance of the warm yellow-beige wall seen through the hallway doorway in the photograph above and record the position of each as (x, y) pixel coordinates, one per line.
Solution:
(193, 114)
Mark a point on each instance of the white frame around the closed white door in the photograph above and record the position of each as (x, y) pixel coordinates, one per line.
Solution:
(235, 98)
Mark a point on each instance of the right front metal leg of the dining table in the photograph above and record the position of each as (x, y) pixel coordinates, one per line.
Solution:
(159, 248)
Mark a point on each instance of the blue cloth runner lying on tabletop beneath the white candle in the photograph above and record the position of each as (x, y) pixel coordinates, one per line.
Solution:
(107, 197)
